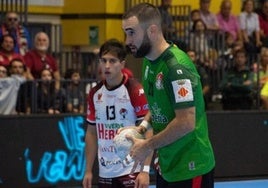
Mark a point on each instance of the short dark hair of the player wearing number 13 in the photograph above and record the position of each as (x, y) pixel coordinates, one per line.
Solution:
(115, 47)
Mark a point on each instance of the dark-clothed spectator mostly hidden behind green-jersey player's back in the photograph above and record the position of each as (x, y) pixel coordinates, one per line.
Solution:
(203, 76)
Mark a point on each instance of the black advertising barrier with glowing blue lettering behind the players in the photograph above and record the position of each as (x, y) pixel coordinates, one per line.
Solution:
(48, 150)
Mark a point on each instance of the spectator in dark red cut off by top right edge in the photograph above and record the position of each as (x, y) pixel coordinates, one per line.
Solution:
(263, 19)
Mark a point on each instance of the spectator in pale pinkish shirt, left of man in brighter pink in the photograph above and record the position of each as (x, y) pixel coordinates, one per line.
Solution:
(208, 17)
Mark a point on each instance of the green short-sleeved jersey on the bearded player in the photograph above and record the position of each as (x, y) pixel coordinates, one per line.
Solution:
(172, 82)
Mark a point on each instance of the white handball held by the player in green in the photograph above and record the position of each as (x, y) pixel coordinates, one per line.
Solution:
(122, 144)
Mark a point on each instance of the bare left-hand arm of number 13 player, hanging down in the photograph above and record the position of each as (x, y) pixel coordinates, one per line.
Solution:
(90, 152)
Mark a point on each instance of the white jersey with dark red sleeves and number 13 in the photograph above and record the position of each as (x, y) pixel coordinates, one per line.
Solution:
(110, 110)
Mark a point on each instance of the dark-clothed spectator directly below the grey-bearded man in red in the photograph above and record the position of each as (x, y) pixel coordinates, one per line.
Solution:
(49, 99)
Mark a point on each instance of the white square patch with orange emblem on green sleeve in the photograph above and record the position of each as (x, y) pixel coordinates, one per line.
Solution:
(182, 90)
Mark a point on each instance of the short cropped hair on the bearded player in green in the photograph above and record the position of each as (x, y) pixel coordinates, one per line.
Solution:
(146, 13)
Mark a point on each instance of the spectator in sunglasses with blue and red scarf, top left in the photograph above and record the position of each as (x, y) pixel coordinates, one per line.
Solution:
(12, 26)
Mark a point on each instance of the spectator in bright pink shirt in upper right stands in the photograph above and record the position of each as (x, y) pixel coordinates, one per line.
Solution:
(228, 22)
